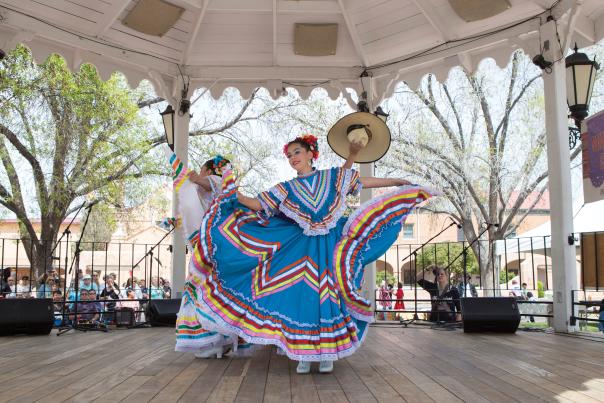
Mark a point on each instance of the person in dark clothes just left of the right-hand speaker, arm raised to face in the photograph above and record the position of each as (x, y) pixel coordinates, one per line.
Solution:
(445, 298)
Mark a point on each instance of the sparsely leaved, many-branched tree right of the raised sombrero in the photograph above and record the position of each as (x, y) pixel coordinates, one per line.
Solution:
(479, 138)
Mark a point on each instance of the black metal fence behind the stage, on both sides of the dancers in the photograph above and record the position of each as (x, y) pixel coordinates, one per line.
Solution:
(522, 267)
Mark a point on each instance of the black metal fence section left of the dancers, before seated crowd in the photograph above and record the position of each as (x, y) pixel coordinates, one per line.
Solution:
(105, 283)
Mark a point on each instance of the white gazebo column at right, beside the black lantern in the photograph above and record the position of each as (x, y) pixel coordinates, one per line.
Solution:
(558, 160)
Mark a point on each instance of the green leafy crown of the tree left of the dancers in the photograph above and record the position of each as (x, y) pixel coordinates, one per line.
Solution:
(85, 133)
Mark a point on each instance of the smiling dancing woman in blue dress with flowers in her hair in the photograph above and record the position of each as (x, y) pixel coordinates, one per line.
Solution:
(285, 268)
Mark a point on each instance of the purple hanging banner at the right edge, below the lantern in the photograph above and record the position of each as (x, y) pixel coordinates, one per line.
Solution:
(592, 138)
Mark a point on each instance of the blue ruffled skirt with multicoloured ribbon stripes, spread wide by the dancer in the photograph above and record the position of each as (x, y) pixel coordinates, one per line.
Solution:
(269, 283)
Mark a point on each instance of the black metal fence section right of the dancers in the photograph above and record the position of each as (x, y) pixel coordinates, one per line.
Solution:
(521, 267)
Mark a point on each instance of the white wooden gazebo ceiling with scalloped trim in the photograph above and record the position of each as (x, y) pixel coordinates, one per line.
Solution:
(249, 43)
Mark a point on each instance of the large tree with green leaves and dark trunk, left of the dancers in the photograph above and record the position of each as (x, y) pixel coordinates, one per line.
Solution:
(67, 138)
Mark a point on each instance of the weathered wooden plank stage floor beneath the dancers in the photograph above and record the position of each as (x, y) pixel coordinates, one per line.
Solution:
(394, 365)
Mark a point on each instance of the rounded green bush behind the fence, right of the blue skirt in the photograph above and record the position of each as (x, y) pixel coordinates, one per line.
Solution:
(443, 254)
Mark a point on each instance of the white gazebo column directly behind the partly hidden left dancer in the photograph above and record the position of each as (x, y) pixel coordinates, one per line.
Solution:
(179, 257)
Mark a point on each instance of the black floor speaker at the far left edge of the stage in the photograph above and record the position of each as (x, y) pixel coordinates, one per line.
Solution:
(26, 316)
